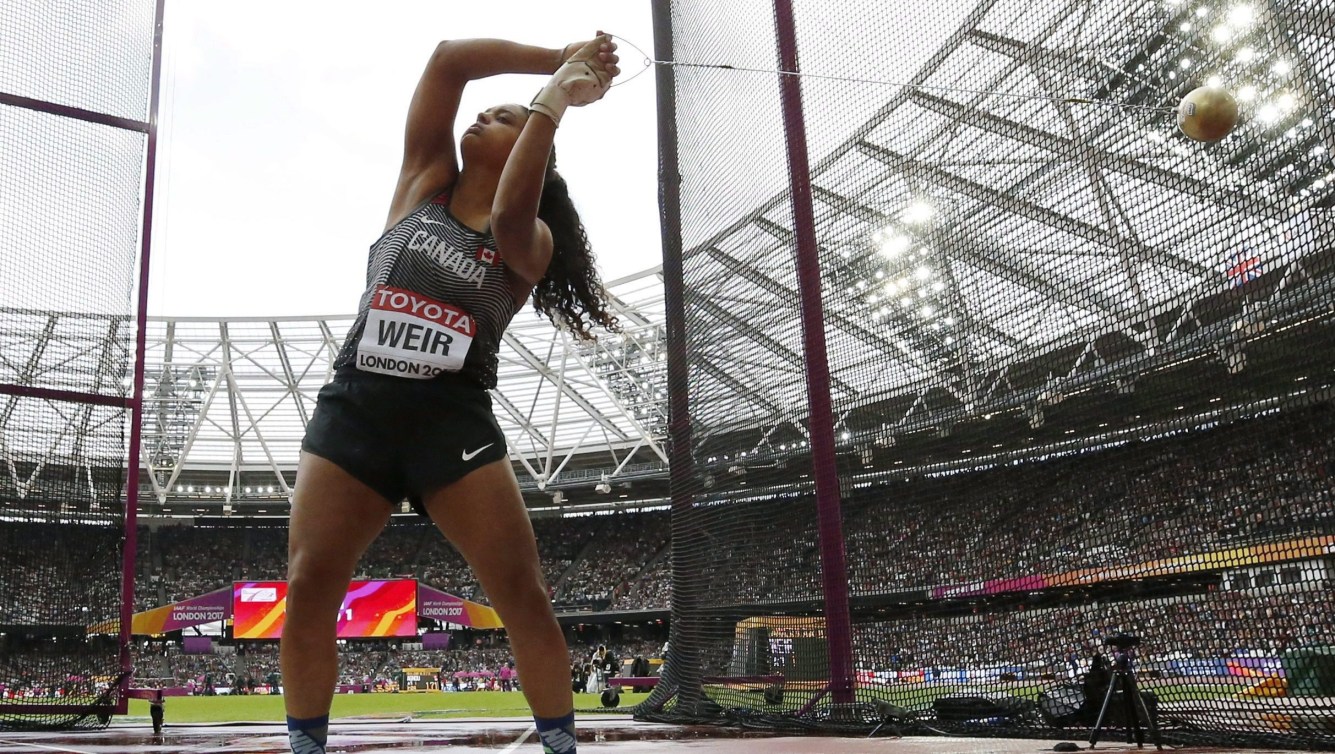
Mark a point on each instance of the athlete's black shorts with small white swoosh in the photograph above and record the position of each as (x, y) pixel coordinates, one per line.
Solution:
(405, 438)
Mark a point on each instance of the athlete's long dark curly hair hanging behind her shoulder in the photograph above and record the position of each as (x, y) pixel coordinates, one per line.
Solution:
(571, 294)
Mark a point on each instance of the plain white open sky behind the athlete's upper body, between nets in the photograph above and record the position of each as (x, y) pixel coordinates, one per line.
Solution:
(282, 130)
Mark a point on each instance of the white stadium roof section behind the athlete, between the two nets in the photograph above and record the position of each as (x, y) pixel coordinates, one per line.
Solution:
(236, 394)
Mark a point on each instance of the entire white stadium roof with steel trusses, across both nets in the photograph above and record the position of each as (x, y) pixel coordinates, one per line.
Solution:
(1021, 224)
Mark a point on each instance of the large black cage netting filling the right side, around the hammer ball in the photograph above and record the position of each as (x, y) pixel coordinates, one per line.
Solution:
(1081, 369)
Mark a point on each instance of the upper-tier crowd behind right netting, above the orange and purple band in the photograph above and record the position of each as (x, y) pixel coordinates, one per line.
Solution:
(1191, 493)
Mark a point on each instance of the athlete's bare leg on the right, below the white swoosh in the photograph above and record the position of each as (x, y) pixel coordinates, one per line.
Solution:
(485, 518)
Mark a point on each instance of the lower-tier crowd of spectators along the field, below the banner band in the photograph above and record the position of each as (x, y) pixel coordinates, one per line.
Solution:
(1055, 643)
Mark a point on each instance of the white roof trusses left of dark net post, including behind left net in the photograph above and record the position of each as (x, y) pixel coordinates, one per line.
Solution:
(228, 400)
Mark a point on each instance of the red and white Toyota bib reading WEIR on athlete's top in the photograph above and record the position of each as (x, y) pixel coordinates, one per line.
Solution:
(413, 337)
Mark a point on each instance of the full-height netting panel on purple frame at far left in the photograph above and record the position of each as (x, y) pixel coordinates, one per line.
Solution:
(74, 97)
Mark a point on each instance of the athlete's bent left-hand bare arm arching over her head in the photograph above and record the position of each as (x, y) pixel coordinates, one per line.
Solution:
(431, 161)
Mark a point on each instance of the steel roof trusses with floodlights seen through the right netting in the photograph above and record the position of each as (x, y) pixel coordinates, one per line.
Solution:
(967, 238)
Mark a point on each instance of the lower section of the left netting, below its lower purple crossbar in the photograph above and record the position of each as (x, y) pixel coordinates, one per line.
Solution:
(62, 548)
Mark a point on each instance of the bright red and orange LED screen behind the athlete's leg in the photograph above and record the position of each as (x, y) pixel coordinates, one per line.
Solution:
(370, 609)
